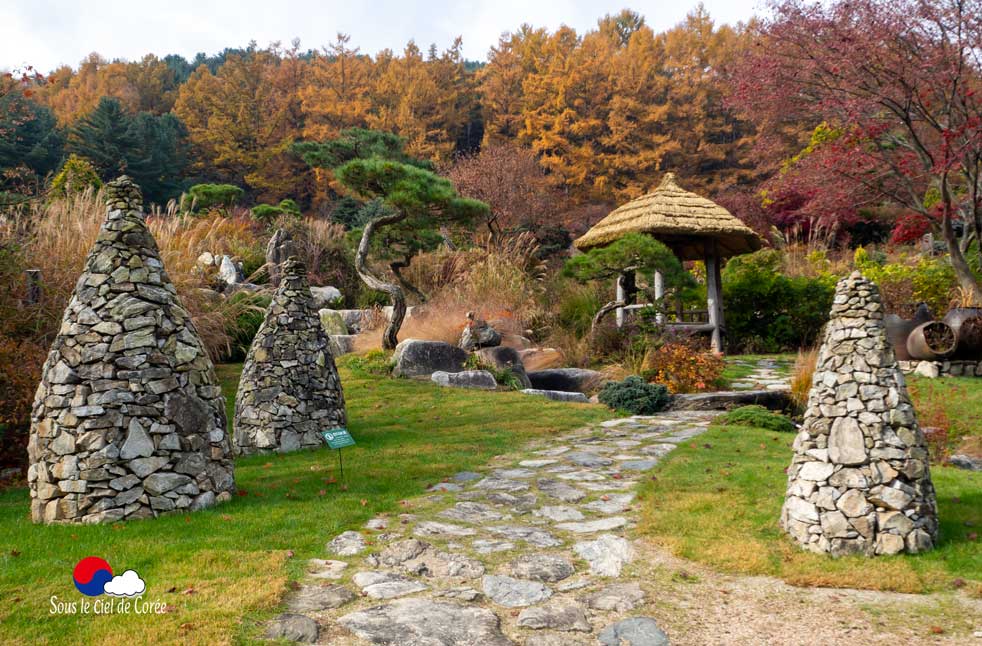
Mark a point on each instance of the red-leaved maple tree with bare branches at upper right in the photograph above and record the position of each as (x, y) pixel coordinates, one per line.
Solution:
(896, 85)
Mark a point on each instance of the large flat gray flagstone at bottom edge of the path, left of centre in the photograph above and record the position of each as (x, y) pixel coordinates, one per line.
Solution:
(422, 622)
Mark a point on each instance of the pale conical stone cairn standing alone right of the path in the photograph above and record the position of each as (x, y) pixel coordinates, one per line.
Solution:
(859, 479)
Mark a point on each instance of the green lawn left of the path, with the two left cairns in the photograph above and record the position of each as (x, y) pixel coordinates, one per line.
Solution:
(221, 570)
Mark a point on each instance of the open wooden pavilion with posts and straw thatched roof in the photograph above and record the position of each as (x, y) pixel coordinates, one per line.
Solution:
(693, 227)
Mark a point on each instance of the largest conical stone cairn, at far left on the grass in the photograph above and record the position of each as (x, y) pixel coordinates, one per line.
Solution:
(129, 419)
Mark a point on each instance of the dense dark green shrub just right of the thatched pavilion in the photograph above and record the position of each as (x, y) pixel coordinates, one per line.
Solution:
(767, 311)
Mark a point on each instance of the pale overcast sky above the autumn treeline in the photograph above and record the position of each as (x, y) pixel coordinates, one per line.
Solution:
(48, 33)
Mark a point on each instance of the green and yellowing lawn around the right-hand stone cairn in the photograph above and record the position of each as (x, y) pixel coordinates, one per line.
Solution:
(717, 500)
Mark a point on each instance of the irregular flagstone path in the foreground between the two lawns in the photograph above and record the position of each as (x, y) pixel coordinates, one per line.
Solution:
(536, 549)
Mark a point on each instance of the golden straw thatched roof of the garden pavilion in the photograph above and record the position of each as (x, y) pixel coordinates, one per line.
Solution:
(684, 221)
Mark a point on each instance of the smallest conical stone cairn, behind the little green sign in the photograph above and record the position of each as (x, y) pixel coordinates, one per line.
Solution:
(289, 388)
